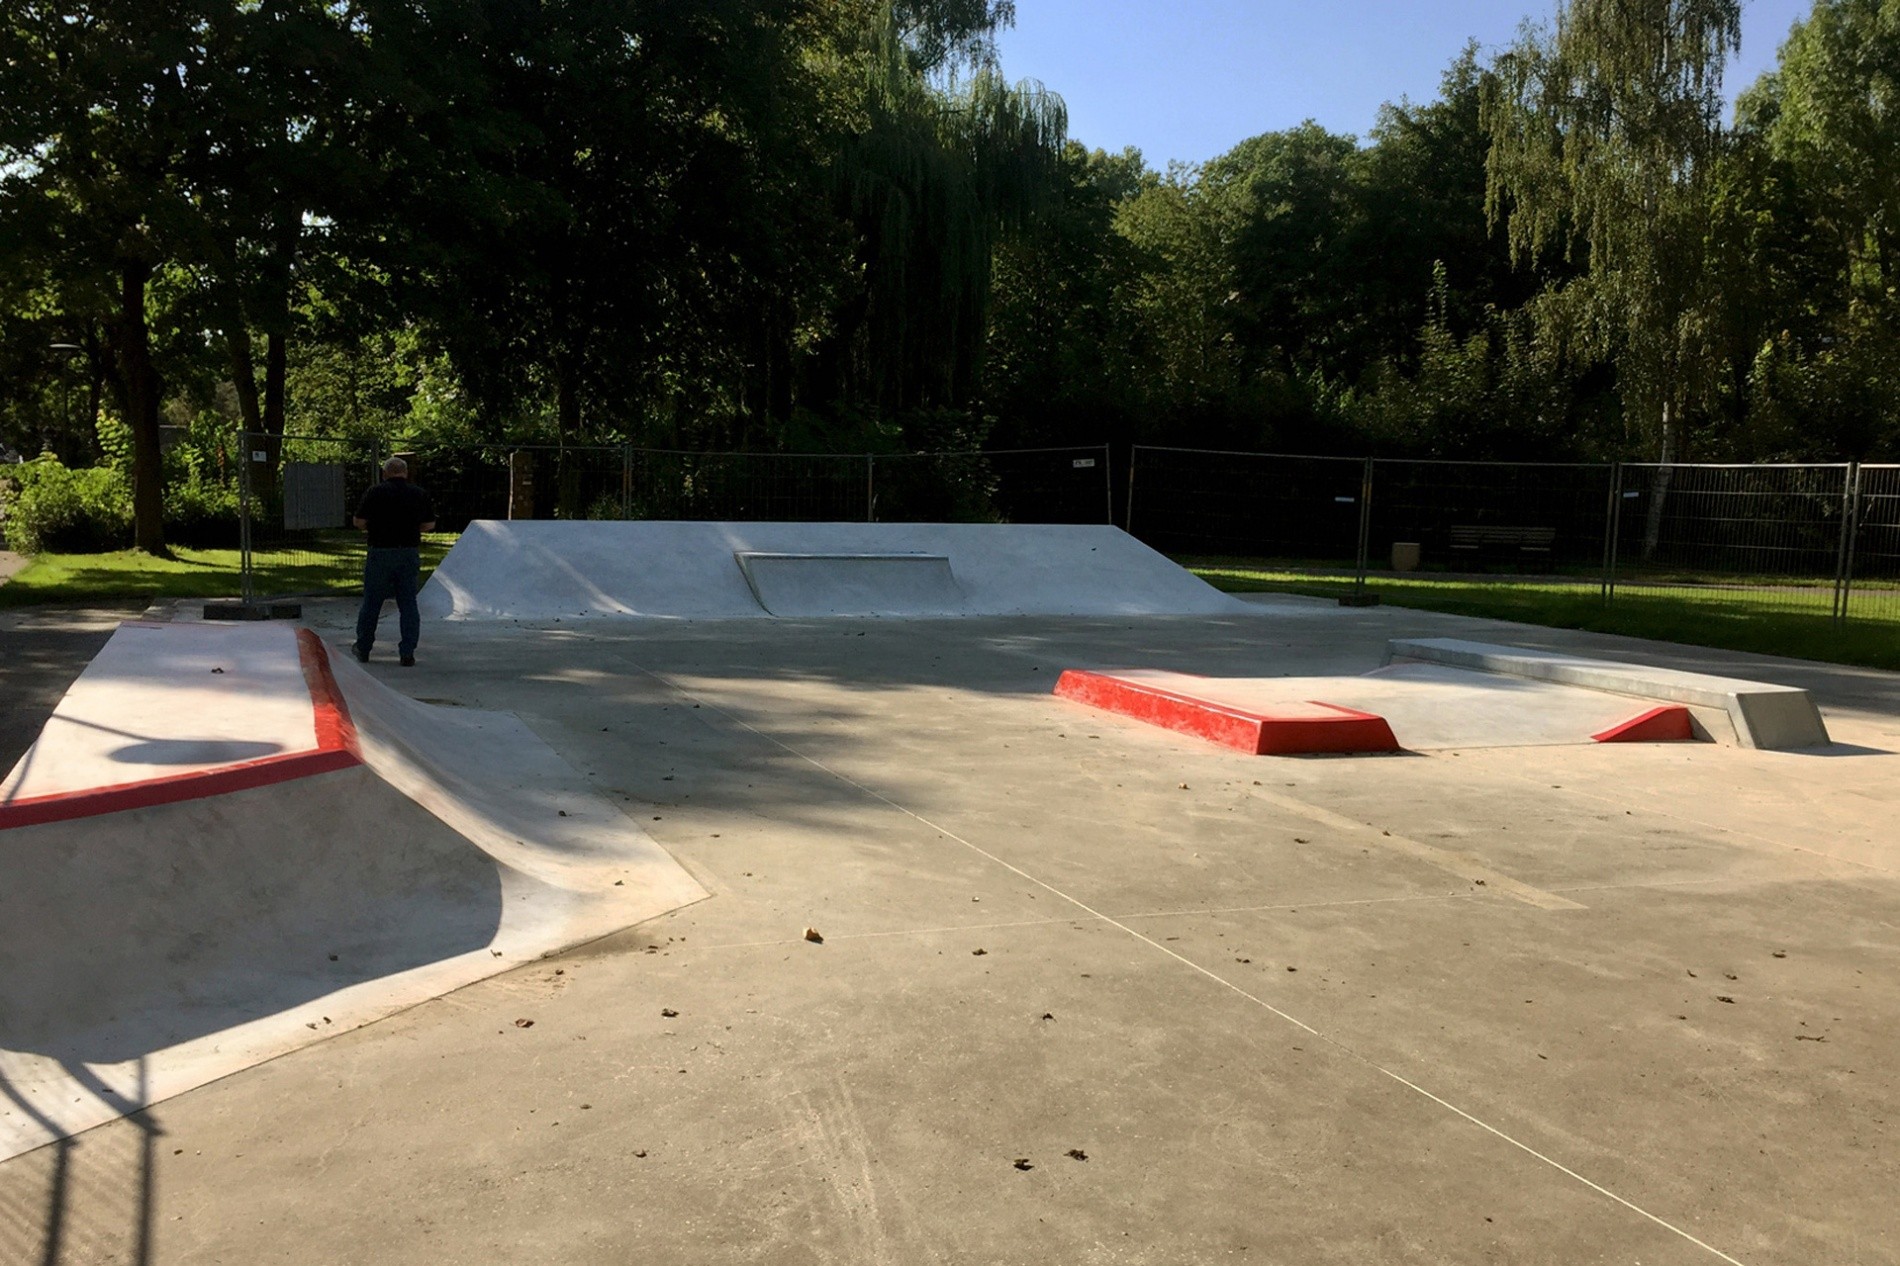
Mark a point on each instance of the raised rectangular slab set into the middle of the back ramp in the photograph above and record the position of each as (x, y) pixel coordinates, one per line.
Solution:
(852, 585)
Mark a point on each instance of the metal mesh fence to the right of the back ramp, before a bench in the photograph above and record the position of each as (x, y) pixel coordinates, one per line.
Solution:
(1819, 539)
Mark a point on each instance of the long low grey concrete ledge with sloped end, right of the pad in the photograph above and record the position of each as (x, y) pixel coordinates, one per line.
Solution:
(1764, 716)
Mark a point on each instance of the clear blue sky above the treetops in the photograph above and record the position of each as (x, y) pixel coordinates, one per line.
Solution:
(1190, 79)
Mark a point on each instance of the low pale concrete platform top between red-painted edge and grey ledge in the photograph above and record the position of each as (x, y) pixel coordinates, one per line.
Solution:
(1430, 708)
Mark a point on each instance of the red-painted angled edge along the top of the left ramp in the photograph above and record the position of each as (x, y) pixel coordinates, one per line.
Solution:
(337, 750)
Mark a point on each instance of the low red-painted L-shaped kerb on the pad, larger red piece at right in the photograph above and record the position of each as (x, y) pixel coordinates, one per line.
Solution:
(1232, 727)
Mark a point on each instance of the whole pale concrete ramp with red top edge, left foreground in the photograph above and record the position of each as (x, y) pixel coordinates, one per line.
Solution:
(225, 847)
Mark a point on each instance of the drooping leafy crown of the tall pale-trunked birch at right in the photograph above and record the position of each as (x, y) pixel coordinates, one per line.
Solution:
(1605, 138)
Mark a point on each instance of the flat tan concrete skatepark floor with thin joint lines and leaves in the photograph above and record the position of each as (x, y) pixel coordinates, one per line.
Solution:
(1090, 991)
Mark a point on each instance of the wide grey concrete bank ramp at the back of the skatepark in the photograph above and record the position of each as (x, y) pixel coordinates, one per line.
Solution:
(759, 571)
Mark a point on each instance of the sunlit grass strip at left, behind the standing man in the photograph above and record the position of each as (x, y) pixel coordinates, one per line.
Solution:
(332, 564)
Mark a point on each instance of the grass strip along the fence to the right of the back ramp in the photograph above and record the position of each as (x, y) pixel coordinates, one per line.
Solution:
(1785, 621)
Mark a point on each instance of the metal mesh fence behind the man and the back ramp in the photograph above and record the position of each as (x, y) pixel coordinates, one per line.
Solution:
(297, 493)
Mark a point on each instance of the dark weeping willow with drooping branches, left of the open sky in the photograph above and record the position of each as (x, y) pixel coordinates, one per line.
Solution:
(941, 168)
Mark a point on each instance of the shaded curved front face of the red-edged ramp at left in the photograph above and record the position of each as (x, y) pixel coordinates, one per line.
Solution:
(134, 932)
